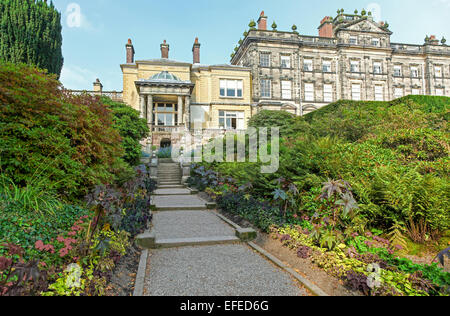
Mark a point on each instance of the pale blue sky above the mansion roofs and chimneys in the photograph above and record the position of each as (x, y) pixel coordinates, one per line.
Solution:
(95, 31)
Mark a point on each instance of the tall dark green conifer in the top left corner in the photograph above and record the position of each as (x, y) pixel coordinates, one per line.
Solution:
(30, 32)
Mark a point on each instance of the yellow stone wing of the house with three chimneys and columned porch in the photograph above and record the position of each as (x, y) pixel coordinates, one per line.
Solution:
(175, 96)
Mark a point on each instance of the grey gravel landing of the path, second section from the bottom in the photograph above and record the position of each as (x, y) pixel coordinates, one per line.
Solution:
(189, 224)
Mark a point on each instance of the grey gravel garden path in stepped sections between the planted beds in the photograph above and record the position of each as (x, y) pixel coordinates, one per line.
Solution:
(198, 254)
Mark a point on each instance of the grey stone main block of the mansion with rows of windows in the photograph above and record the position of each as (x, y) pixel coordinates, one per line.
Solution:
(352, 58)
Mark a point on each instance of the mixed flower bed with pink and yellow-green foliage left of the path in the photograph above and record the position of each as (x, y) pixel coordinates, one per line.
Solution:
(73, 253)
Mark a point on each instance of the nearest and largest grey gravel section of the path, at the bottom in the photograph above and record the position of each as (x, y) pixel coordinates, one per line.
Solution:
(220, 270)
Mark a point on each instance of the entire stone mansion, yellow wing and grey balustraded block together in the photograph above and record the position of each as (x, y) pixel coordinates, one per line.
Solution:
(352, 58)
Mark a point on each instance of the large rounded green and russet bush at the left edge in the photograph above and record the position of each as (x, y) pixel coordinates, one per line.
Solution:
(49, 137)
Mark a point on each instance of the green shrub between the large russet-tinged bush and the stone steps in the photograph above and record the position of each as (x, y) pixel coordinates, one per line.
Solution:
(131, 127)
